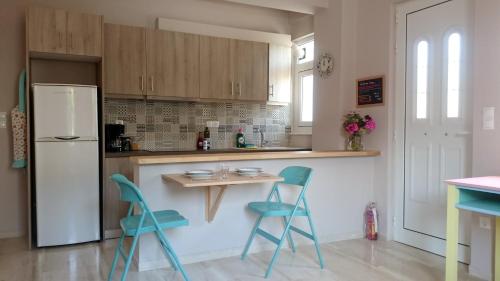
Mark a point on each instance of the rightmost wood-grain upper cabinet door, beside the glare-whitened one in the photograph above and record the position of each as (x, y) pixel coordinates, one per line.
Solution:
(250, 61)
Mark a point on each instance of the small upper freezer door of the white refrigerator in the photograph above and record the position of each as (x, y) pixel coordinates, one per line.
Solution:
(65, 111)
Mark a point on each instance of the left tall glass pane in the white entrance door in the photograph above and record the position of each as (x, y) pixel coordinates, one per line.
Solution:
(422, 78)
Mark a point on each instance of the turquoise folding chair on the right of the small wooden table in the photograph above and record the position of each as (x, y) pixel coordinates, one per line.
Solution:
(294, 176)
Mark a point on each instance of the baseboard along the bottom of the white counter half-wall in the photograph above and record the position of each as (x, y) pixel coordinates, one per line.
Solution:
(256, 248)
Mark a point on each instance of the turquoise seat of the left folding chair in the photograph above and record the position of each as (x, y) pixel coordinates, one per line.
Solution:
(166, 219)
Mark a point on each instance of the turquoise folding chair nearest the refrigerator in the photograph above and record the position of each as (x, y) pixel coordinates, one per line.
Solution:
(146, 222)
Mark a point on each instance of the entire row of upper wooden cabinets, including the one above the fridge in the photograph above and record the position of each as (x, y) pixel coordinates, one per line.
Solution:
(140, 62)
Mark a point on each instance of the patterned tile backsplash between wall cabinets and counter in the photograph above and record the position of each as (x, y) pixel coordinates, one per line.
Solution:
(162, 125)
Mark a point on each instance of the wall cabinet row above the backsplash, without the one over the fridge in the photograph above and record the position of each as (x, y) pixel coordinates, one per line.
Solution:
(160, 63)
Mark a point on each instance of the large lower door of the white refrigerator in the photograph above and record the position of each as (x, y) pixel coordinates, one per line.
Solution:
(67, 192)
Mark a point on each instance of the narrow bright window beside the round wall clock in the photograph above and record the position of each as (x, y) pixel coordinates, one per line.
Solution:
(303, 86)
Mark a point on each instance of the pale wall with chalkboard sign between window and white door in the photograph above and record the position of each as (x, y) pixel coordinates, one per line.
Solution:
(358, 33)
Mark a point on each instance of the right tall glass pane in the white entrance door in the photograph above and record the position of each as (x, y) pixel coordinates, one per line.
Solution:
(454, 42)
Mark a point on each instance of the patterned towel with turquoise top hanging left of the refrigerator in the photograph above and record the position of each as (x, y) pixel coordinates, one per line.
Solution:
(18, 115)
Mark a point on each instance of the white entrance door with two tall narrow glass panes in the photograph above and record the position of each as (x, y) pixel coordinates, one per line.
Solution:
(437, 119)
